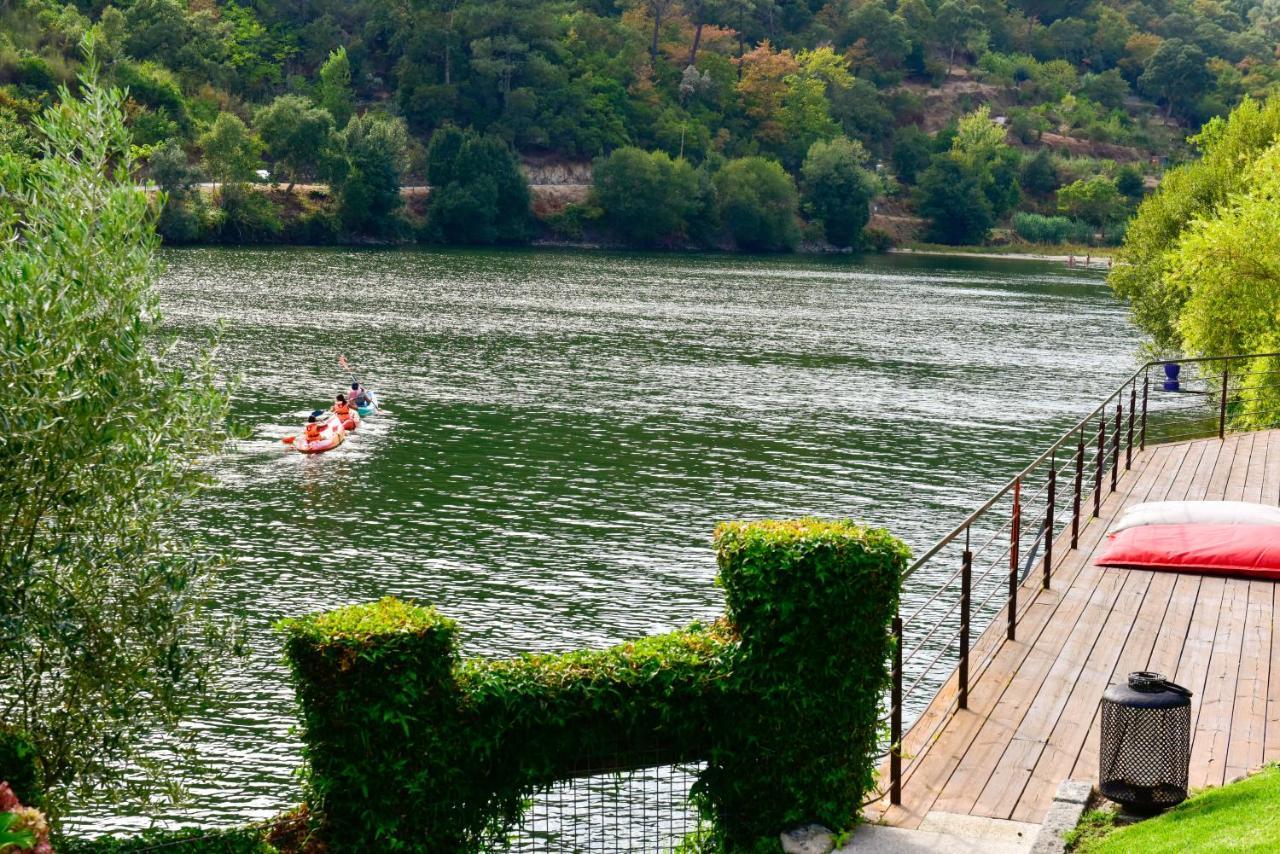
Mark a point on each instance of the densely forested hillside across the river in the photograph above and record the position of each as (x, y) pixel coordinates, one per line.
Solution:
(740, 124)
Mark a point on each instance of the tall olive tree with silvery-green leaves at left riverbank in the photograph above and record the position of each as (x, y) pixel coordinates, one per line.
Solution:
(106, 642)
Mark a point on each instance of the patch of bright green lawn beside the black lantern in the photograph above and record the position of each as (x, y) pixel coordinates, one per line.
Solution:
(1241, 818)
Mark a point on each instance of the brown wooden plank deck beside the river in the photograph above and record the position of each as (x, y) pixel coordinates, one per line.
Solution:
(1034, 714)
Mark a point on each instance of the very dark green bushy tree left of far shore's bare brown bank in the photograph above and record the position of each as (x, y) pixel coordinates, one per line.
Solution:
(479, 194)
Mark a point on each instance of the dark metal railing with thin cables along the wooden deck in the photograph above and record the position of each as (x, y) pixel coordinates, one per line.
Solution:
(975, 573)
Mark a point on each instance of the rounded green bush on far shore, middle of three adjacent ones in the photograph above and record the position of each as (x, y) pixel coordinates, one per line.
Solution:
(758, 204)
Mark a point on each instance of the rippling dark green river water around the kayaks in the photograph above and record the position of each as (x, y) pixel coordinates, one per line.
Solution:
(564, 431)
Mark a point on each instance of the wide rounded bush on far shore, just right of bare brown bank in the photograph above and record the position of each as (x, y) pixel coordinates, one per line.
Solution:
(651, 199)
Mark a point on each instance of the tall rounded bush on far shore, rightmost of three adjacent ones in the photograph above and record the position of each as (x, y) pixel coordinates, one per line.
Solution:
(839, 190)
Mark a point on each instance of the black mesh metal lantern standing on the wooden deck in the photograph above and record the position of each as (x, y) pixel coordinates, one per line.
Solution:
(1146, 743)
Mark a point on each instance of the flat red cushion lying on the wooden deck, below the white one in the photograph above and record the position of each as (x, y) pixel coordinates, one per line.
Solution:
(1250, 551)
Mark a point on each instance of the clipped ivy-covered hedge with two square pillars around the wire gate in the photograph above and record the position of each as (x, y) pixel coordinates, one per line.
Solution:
(426, 752)
